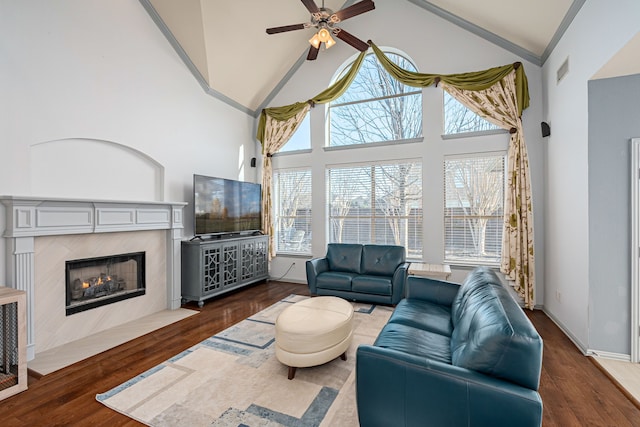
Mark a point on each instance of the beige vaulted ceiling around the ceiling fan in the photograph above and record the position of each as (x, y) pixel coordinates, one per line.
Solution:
(224, 43)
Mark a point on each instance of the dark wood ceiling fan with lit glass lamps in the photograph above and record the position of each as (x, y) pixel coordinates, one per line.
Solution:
(324, 20)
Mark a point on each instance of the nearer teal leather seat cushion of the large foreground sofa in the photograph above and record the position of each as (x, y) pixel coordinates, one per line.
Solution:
(415, 341)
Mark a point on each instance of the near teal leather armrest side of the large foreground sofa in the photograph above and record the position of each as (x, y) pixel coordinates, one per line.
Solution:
(392, 386)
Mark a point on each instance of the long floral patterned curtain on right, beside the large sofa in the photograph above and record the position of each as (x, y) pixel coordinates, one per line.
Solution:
(499, 105)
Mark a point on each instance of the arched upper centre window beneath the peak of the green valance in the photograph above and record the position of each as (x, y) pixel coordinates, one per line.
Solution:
(376, 107)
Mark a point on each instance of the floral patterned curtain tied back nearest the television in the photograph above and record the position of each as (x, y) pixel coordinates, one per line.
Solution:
(276, 134)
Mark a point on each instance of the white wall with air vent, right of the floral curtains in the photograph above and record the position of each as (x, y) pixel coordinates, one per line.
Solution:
(598, 31)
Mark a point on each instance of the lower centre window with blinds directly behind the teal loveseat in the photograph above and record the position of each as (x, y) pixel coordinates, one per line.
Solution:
(379, 203)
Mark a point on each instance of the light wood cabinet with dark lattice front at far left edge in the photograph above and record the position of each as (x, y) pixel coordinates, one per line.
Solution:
(13, 342)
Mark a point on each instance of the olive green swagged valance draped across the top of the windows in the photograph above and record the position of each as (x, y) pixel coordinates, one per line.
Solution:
(476, 80)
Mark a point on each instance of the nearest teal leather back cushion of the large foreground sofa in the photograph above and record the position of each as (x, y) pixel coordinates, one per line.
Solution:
(495, 337)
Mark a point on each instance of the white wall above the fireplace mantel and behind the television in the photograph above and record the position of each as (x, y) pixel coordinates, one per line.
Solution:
(102, 70)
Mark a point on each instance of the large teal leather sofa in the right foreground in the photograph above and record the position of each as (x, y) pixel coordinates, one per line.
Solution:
(452, 355)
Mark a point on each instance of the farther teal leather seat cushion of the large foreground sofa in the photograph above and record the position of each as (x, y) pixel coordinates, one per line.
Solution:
(423, 315)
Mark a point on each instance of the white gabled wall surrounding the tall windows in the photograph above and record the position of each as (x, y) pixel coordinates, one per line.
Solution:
(435, 46)
